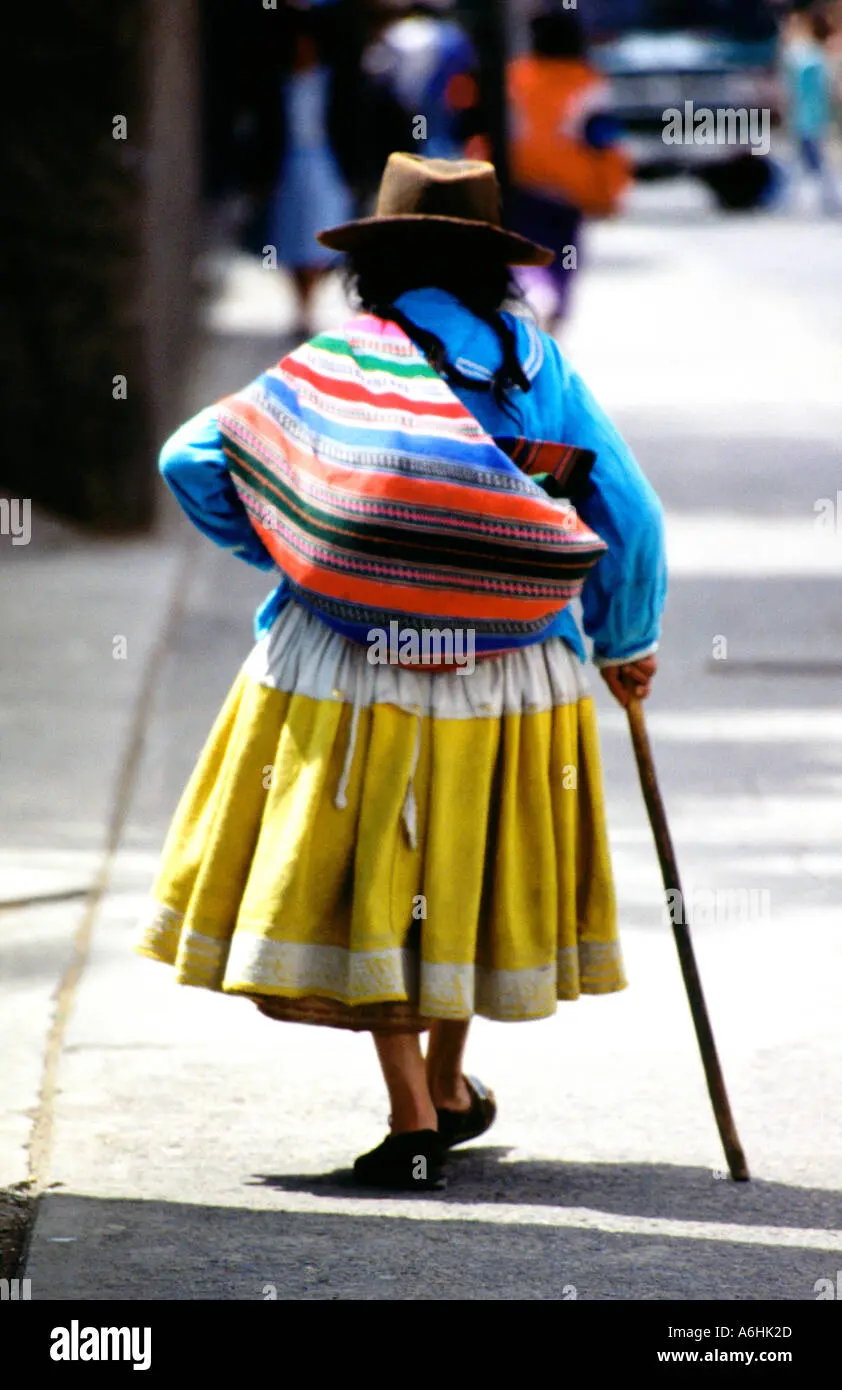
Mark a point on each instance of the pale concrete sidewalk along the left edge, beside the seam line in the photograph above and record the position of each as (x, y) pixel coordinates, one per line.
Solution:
(84, 629)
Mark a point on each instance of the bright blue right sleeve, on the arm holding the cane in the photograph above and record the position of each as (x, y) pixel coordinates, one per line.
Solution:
(625, 596)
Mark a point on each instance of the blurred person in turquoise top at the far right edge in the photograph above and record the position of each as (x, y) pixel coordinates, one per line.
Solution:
(809, 81)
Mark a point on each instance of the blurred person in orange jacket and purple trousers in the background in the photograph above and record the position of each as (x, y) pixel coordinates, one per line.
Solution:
(565, 158)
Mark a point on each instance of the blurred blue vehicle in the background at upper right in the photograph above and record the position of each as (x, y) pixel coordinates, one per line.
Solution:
(693, 55)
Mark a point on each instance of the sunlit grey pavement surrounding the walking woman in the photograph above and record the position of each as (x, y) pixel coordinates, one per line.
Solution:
(188, 1149)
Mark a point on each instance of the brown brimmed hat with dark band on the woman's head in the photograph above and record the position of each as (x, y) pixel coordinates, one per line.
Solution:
(463, 195)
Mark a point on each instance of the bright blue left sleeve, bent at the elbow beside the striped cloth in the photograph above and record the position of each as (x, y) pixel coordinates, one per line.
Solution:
(195, 469)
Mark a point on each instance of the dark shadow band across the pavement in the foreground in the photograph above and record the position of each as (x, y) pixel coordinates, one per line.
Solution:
(87, 1249)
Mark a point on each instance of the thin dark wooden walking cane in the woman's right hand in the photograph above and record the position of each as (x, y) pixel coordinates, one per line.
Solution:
(666, 854)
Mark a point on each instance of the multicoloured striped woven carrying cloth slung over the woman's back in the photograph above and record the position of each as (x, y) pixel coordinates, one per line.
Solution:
(380, 496)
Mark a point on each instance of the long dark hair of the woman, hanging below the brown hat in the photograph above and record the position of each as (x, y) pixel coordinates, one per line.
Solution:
(456, 261)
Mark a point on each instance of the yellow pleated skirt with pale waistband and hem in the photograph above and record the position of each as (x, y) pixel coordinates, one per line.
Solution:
(374, 847)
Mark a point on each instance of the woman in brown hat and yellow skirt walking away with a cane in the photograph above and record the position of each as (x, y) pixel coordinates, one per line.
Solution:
(383, 835)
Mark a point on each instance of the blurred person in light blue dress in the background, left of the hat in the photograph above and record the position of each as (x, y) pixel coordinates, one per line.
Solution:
(311, 187)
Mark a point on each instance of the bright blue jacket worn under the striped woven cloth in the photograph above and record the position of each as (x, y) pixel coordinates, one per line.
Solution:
(625, 596)
